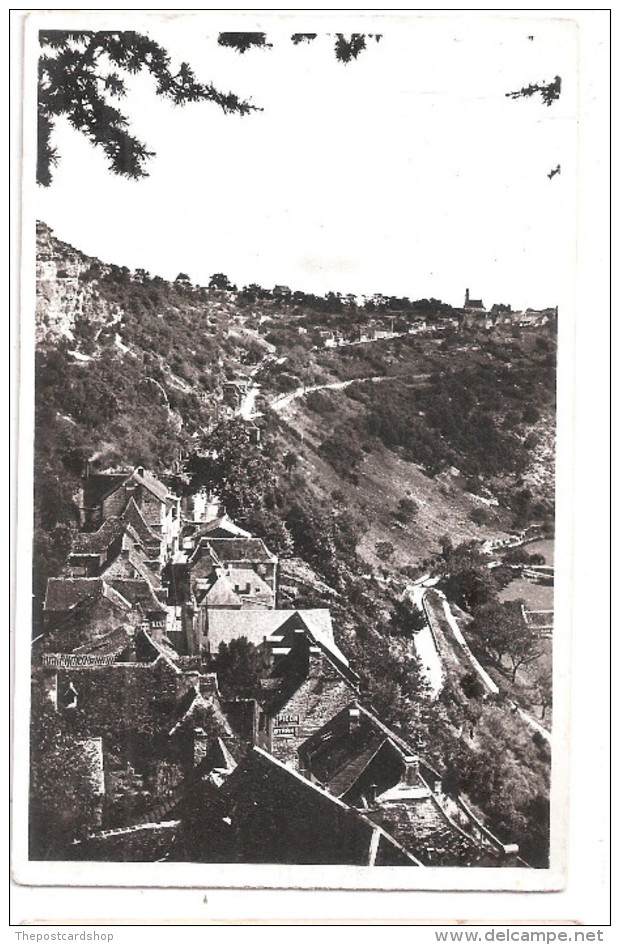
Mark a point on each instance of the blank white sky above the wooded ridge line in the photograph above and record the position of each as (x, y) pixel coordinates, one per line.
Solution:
(407, 171)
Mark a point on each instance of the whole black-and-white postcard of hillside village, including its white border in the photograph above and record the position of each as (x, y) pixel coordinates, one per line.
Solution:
(294, 301)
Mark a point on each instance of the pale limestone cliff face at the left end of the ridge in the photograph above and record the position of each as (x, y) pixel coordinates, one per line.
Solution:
(63, 298)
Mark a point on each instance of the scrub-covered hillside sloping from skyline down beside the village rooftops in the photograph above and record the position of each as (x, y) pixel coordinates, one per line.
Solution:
(363, 464)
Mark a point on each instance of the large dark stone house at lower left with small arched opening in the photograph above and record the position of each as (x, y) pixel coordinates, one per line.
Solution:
(161, 726)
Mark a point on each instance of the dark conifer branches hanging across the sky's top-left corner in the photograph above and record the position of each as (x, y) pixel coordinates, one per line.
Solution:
(81, 73)
